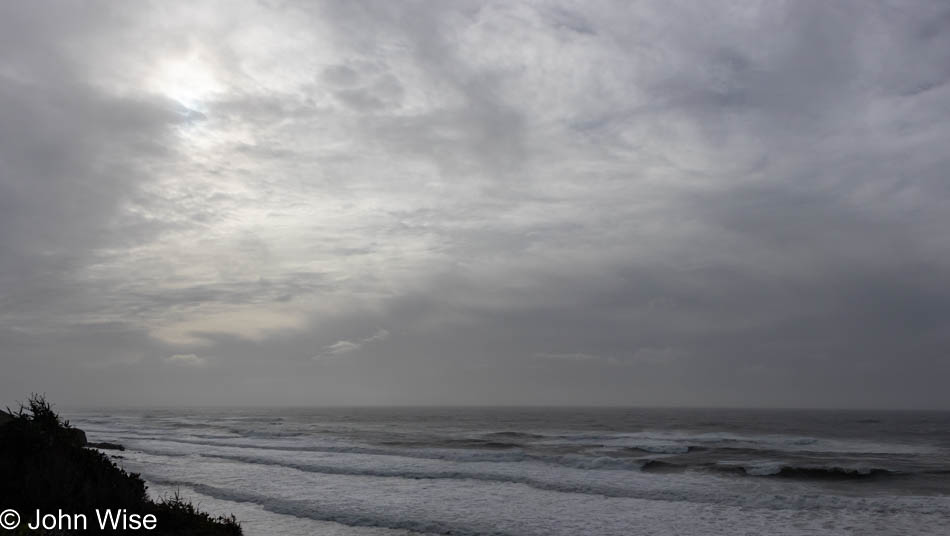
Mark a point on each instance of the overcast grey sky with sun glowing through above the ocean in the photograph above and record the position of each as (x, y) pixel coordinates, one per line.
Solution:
(645, 203)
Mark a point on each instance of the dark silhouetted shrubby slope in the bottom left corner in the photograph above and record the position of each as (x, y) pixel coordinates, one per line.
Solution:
(44, 465)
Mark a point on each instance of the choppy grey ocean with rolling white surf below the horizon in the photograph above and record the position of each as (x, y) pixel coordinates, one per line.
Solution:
(402, 471)
